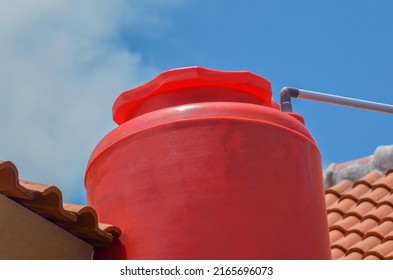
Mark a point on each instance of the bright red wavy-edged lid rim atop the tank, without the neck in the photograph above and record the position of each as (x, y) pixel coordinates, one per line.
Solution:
(188, 78)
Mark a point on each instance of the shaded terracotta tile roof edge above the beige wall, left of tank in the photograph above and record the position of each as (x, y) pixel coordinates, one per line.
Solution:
(47, 202)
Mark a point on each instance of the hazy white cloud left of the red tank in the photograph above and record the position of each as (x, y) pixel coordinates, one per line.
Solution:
(61, 69)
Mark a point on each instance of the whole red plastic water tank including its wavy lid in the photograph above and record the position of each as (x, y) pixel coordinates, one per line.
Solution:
(203, 165)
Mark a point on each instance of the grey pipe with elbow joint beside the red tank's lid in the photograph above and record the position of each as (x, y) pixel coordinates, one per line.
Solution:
(334, 99)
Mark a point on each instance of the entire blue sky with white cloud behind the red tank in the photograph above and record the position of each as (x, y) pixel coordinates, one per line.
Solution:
(64, 64)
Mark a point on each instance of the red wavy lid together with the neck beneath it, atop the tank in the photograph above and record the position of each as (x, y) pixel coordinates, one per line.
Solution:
(192, 85)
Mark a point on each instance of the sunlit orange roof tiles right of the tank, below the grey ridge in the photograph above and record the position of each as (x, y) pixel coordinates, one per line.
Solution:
(360, 217)
